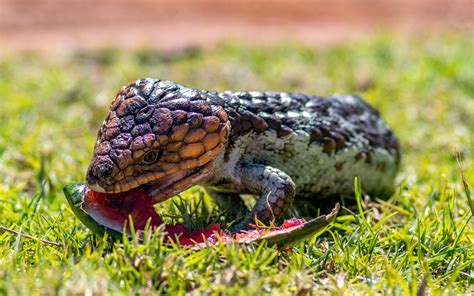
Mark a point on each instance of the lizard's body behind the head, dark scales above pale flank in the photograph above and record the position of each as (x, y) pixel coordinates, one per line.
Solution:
(322, 143)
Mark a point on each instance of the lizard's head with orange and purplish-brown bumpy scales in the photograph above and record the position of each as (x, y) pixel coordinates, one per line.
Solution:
(158, 136)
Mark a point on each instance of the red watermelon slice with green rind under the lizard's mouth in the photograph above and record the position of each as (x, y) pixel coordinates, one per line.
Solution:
(103, 212)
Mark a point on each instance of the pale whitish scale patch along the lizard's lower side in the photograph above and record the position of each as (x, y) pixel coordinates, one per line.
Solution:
(312, 170)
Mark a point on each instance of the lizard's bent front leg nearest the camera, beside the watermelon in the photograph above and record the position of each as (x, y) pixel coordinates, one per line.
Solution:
(276, 191)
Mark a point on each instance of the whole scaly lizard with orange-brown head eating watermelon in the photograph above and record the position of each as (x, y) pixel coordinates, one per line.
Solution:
(168, 137)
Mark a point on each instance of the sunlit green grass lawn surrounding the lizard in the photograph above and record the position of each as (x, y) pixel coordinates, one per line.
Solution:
(420, 240)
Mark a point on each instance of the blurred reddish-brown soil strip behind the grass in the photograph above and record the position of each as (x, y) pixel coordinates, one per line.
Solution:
(58, 24)
